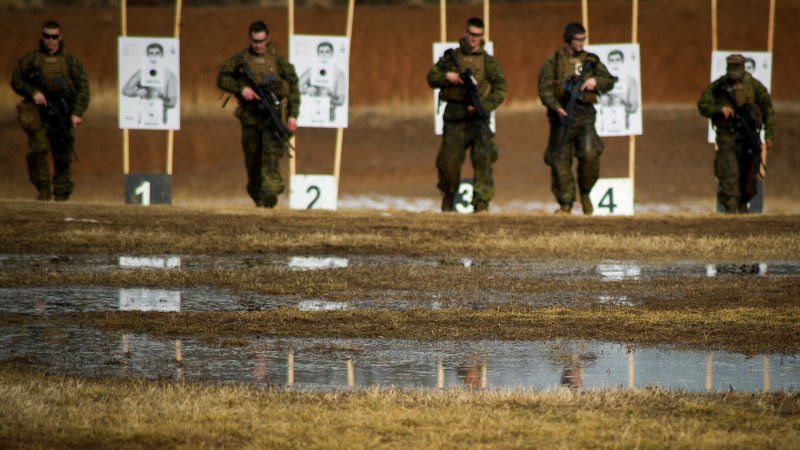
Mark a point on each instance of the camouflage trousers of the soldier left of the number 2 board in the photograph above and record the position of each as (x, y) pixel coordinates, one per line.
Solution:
(262, 157)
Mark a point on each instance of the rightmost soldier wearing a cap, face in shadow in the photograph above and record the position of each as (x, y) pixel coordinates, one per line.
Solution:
(733, 97)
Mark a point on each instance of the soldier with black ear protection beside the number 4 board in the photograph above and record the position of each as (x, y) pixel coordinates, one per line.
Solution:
(580, 140)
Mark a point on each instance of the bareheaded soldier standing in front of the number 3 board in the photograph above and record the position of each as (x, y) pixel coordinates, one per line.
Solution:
(463, 128)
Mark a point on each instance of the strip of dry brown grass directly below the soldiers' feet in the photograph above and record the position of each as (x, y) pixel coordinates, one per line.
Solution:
(28, 227)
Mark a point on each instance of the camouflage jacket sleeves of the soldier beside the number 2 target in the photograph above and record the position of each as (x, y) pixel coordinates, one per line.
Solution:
(231, 79)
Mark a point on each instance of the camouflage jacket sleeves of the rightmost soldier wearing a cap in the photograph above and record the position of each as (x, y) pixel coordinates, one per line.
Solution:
(713, 98)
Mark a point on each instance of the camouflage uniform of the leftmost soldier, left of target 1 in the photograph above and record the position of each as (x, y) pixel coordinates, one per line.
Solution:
(64, 75)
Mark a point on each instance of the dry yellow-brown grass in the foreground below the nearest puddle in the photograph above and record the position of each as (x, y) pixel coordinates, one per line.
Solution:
(66, 412)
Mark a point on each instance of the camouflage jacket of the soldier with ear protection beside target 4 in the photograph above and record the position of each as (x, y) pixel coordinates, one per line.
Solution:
(549, 92)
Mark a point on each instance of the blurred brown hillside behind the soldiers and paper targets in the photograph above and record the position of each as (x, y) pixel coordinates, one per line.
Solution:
(390, 147)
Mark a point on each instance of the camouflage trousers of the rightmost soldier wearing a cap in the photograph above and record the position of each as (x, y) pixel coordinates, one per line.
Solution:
(736, 171)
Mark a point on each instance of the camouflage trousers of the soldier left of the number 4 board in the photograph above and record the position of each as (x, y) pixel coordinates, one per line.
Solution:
(581, 143)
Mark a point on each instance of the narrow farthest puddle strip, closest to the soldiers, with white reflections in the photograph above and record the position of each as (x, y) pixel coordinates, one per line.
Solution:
(528, 269)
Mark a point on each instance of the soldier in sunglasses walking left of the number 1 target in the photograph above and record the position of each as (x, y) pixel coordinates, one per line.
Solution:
(56, 95)
